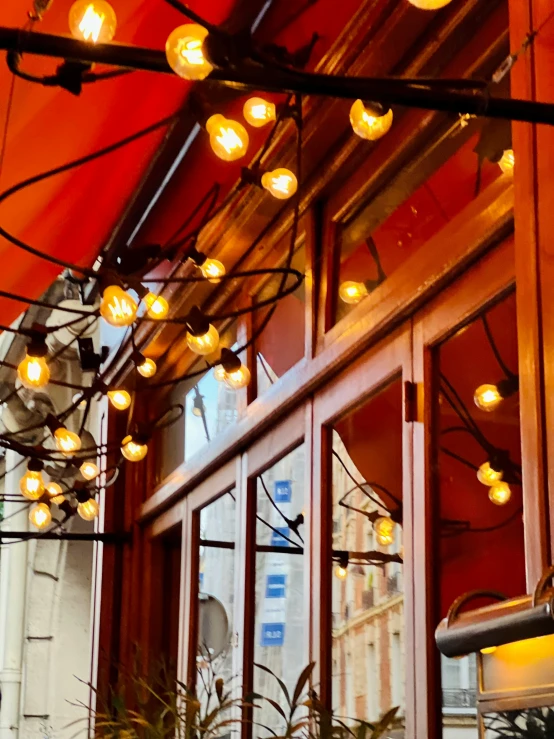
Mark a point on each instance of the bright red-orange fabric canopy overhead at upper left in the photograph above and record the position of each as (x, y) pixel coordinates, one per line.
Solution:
(72, 215)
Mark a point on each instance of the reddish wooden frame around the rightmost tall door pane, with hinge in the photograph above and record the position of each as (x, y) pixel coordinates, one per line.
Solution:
(482, 285)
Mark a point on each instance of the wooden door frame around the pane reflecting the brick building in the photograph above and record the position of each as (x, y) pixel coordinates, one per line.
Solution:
(366, 376)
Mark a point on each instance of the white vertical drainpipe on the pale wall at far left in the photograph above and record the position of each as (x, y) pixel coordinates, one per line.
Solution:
(13, 593)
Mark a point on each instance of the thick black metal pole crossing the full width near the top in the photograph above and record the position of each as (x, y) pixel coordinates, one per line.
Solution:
(427, 94)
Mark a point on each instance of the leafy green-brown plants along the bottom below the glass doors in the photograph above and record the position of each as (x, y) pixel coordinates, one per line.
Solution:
(165, 708)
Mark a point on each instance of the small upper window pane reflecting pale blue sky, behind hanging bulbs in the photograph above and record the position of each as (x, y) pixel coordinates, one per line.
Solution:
(210, 406)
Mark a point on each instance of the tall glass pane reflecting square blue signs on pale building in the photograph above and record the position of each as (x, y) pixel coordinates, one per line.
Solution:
(280, 638)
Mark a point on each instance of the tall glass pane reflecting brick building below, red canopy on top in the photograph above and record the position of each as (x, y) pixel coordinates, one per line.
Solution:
(368, 675)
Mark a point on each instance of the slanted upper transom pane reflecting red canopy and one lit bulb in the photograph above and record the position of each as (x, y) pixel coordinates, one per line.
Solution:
(416, 205)
